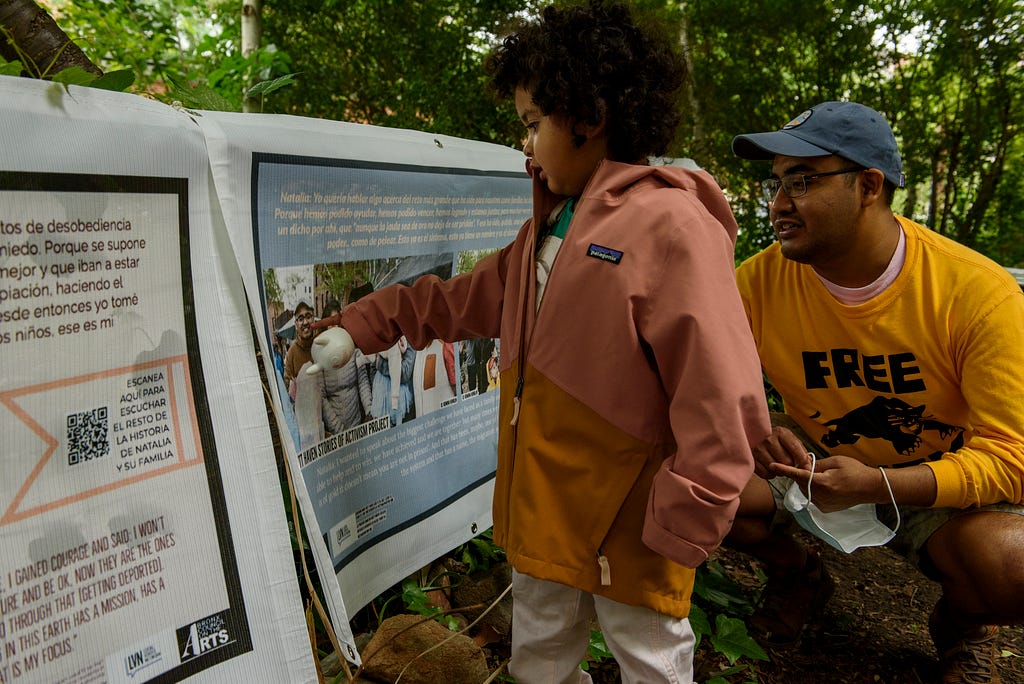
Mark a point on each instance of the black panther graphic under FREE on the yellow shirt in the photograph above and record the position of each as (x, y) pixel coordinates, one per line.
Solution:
(890, 419)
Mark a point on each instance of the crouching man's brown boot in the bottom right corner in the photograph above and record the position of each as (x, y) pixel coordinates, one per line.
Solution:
(967, 656)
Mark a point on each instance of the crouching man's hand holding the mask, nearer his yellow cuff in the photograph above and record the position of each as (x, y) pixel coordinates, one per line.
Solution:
(839, 483)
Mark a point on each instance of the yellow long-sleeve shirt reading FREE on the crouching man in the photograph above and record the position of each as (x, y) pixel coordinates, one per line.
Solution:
(931, 370)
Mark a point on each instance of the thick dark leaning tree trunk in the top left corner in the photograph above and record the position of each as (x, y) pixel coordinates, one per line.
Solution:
(30, 35)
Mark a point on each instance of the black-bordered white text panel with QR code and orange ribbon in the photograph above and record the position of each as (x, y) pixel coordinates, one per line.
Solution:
(116, 558)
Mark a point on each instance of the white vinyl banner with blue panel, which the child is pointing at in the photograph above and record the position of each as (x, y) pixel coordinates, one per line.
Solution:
(398, 450)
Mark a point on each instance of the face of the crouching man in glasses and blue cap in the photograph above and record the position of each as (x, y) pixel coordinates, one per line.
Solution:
(821, 227)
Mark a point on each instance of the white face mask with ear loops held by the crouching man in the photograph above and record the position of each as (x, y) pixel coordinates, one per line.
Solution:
(847, 530)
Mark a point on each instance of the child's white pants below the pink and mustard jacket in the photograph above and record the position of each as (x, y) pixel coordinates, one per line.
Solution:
(551, 632)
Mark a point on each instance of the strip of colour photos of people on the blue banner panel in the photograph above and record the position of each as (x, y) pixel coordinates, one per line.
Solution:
(332, 402)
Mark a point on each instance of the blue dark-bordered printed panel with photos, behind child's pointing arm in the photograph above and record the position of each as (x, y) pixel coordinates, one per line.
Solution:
(390, 439)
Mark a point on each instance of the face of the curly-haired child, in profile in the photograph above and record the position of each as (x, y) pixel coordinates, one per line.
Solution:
(549, 146)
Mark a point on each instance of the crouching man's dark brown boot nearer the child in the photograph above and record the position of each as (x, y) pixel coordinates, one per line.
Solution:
(790, 602)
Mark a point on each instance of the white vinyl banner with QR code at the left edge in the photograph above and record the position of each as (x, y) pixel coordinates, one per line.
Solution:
(143, 536)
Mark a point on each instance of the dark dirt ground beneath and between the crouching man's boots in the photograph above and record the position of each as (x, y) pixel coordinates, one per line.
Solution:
(874, 631)
